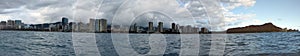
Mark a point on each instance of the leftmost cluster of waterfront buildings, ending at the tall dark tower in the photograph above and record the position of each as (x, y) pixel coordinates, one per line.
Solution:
(63, 26)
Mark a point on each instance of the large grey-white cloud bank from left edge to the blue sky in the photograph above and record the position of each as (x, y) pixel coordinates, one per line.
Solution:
(207, 13)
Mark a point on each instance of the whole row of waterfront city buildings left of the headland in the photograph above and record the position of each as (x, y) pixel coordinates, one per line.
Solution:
(98, 26)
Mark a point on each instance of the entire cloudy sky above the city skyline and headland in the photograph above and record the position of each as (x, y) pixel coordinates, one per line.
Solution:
(212, 14)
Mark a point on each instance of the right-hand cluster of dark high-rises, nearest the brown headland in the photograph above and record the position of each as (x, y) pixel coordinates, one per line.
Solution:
(174, 28)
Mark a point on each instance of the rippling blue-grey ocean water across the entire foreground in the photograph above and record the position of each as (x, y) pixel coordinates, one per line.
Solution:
(31, 43)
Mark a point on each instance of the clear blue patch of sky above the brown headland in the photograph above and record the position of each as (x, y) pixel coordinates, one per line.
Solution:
(283, 13)
